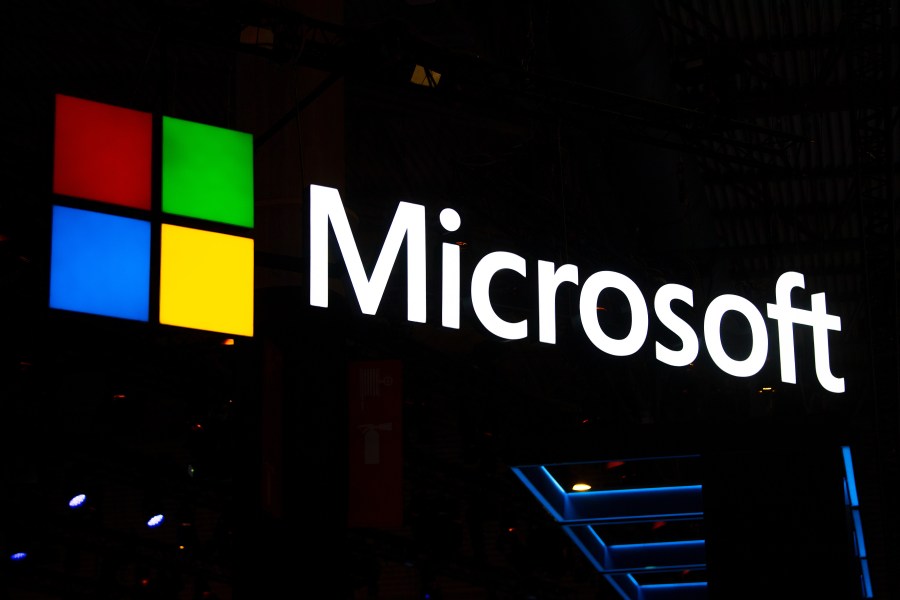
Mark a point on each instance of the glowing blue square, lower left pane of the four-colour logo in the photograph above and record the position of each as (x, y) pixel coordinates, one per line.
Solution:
(100, 264)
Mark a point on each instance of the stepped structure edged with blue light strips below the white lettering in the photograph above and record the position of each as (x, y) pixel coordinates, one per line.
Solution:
(589, 517)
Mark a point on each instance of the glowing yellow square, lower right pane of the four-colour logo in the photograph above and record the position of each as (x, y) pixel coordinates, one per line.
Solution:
(206, 280)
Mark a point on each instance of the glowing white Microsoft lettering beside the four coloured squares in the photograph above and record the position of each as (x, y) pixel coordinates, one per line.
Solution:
(408, 226)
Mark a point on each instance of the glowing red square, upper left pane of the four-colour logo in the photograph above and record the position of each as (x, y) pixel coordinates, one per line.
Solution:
(102, 152)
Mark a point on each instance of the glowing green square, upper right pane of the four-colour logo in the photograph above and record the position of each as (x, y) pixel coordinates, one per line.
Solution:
(207, 172)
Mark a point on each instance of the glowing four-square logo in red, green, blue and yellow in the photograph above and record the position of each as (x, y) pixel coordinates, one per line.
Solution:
(156, 232)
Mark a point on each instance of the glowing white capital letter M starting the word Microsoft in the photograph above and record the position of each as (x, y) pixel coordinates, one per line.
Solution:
(325, 207)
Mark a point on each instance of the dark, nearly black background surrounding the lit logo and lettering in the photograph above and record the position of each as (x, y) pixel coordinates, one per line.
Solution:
(710, 143)
